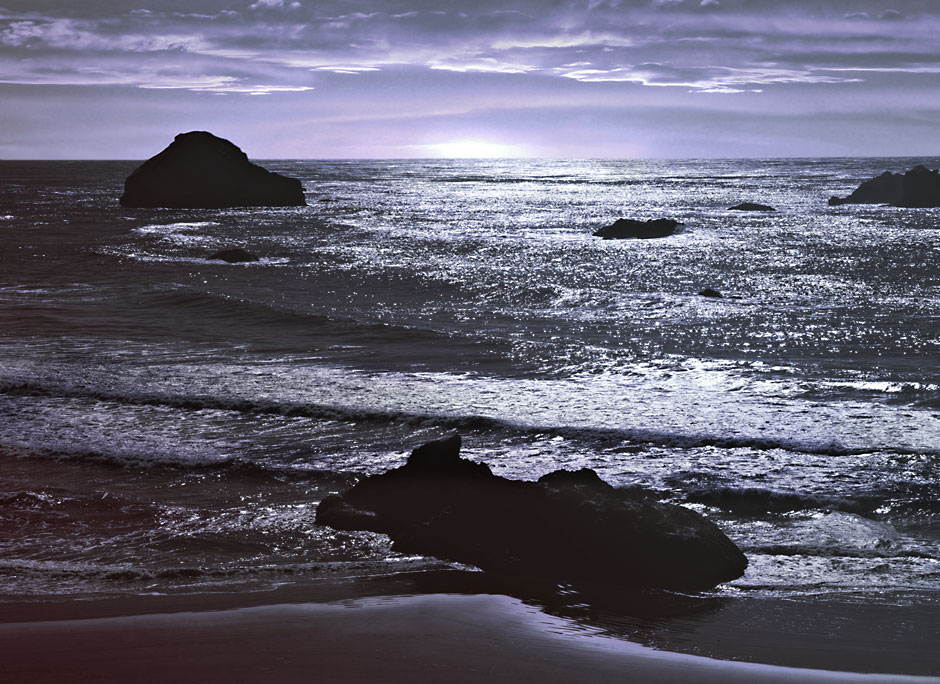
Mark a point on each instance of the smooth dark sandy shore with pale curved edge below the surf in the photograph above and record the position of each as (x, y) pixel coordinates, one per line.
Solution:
(431, 637)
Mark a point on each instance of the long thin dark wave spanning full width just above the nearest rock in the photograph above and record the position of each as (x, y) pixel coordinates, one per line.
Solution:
(596, 437)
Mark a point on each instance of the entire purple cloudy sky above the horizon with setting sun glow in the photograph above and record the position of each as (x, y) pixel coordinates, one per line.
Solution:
(333, 79)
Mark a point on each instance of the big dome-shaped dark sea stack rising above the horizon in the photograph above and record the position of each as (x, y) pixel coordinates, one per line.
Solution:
(201, 171)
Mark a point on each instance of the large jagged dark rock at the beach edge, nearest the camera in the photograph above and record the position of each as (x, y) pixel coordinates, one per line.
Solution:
(568, 526)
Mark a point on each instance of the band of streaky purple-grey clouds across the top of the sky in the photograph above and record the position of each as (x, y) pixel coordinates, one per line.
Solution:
(748, 45)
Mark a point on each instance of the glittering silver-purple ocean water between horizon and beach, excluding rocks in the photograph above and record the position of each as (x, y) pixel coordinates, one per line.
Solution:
(168, 423)
